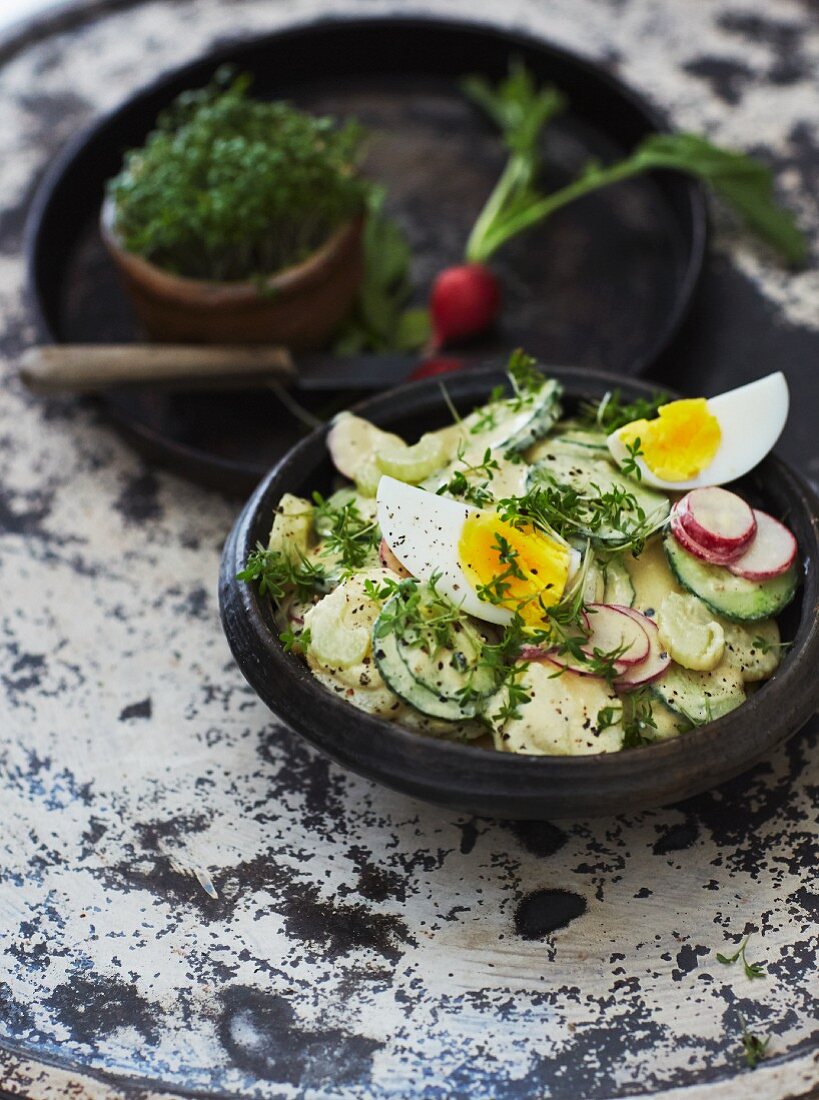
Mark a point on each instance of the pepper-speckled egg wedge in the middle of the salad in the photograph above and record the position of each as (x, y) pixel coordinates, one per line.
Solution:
(470, 548)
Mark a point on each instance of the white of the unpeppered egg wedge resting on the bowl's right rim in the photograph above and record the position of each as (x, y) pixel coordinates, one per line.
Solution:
(751, 420)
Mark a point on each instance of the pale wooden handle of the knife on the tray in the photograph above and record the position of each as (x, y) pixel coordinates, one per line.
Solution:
(85, 368)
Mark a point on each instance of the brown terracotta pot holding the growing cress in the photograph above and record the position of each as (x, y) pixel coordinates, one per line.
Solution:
(301, 307)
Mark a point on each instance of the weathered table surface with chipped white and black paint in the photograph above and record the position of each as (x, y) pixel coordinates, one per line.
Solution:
(191, 900)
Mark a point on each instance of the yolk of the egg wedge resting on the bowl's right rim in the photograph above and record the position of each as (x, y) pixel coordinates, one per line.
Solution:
(681, 443)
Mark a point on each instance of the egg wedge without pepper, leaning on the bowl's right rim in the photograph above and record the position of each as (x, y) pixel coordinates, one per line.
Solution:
(701, 442)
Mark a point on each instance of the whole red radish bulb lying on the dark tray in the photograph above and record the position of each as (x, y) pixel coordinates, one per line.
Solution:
(464, 301)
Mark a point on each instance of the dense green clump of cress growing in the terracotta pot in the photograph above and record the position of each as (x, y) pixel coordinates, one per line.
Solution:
(228, 188)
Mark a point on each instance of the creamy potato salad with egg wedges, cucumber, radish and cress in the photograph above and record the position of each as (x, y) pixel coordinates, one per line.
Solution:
(540, 581)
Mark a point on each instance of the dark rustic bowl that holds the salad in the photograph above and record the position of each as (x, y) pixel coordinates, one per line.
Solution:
(483, 782)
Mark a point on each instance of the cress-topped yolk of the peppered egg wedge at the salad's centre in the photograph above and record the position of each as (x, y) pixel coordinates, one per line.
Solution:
(521, 567)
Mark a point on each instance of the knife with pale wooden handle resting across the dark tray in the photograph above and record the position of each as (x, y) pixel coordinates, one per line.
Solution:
(88, 368)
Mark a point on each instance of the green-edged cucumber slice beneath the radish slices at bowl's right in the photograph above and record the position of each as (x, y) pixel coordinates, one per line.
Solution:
(728, 596)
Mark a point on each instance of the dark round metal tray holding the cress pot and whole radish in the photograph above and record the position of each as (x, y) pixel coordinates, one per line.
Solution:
(605, 284)
